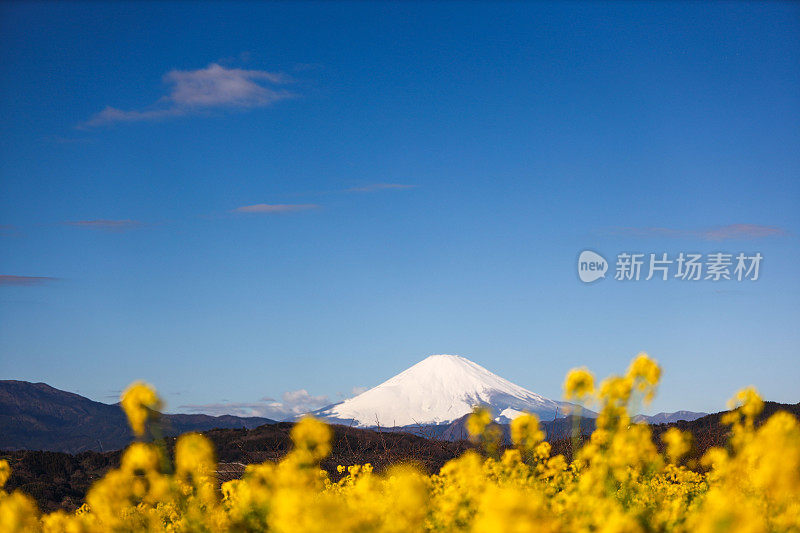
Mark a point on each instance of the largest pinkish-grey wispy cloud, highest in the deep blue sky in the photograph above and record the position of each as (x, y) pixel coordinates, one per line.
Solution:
(211, 88)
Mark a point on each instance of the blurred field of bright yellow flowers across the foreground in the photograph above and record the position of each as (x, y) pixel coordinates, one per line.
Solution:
(618, 480)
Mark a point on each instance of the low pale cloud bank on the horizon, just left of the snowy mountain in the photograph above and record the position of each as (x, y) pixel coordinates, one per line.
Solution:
(292, 404)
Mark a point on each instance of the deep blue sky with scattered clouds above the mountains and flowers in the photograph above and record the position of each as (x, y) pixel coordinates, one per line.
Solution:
(238, 202)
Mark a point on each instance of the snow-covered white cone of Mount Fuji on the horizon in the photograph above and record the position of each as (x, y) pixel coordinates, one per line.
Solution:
(439, 390)
